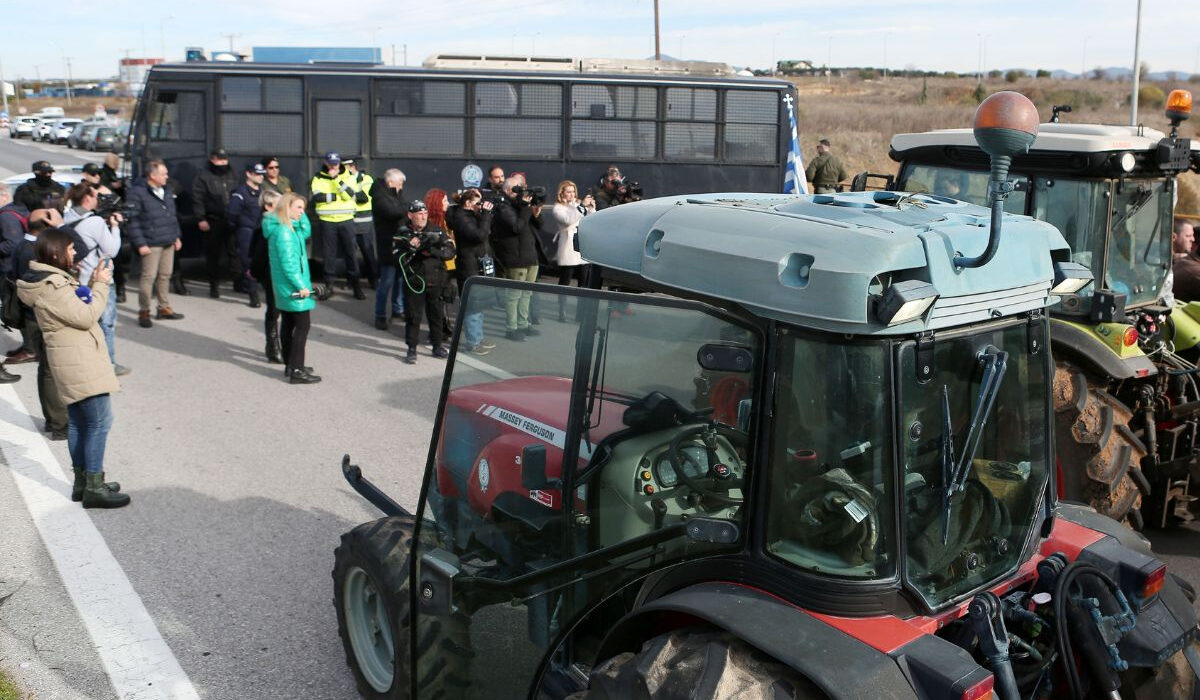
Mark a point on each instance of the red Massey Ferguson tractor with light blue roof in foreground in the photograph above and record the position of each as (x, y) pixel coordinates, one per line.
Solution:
(807, 451)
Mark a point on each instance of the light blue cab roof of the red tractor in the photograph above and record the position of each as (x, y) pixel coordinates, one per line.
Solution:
(823, 261)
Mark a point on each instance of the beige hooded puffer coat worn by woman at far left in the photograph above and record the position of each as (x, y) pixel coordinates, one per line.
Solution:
(75, 345)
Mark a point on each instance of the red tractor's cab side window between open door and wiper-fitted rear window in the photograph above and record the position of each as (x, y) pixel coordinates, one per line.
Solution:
(831, 464)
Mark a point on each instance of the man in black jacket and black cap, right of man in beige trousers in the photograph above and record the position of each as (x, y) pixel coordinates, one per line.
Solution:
(211, 199)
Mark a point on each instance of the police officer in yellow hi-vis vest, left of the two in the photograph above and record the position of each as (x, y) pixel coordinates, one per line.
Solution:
(337, 202)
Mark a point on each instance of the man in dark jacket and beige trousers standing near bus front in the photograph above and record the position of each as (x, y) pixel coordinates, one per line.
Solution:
(154, 234)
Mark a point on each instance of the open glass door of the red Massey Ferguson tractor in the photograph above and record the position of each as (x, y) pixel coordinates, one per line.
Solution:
(611, 441)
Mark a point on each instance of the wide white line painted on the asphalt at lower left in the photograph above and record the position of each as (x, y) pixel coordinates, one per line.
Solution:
(137, 661)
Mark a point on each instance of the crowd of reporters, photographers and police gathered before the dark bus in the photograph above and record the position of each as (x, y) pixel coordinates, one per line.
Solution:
(64, 255)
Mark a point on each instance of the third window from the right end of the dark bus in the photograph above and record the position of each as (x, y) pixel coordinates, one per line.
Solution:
(614, 122)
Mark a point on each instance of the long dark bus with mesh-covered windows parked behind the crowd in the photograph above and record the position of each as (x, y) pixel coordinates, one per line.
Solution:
(674, 128)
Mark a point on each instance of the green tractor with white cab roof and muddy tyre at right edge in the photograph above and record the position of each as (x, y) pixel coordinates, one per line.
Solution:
(1127, 408)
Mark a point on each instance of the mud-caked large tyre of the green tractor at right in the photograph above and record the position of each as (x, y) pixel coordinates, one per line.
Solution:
(1099, 456)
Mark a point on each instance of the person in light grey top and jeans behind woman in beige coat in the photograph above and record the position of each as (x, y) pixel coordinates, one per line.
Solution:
(100, 236)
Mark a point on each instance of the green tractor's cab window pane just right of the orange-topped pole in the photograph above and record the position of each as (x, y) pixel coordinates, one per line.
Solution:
(1077, 208)
